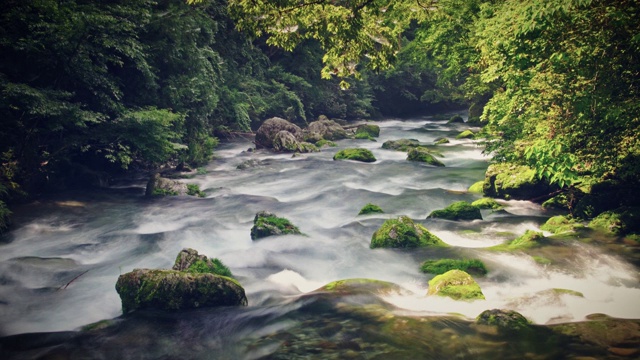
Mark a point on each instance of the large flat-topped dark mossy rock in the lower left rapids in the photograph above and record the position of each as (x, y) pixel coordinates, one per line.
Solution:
(177, 290)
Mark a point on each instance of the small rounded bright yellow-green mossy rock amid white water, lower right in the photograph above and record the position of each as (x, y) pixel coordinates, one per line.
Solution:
(457, 285)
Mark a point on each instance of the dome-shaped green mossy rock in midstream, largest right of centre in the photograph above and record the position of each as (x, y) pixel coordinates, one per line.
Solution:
(403, 233)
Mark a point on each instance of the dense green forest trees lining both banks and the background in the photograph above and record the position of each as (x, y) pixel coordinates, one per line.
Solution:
(95, 88)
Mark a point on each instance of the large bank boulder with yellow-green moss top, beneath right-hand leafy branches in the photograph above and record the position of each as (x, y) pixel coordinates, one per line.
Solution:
(510, 181)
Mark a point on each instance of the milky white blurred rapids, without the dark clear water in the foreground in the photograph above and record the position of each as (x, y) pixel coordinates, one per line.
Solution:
(101, 237)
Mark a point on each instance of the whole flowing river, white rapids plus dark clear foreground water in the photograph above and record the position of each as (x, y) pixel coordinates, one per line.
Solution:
(58, 268)
